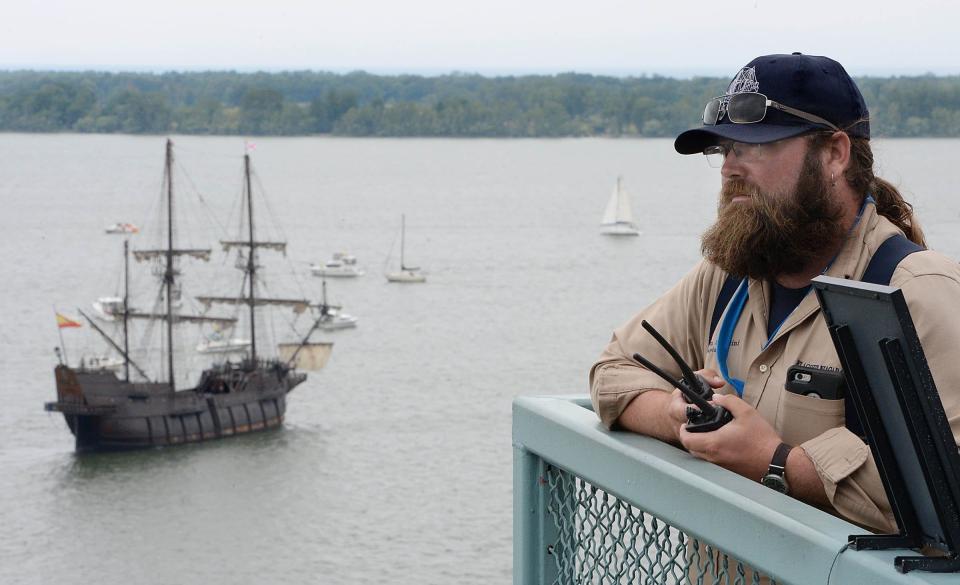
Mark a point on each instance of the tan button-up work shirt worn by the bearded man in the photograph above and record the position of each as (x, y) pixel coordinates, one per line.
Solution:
(931, 286)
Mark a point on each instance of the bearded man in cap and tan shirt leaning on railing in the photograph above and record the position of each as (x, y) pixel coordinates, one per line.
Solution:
(798, 199)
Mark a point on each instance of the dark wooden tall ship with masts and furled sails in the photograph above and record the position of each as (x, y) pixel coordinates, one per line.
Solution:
(244, 391)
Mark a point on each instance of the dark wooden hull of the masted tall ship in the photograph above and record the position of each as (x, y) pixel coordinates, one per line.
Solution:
(106, 413)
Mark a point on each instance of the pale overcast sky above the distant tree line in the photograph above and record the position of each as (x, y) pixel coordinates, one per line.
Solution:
(669, 37)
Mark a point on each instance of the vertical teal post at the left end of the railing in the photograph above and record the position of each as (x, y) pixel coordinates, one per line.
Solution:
(534, 531)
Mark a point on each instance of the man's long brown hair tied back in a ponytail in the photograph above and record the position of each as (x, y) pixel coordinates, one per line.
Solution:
(890, 203)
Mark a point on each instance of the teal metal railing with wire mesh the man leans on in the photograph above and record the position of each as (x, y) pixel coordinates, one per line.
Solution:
(598, 507)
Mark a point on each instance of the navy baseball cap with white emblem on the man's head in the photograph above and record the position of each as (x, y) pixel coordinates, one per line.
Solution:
(815, 85)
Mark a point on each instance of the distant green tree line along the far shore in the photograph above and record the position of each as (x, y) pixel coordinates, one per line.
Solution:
(362, 104)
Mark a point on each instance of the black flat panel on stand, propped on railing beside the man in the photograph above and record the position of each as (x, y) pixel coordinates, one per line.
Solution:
(902, 417)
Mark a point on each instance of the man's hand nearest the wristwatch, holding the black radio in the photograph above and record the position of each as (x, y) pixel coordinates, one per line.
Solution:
(745, 445)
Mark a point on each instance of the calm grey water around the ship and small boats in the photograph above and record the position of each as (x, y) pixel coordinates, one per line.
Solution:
(395, 461)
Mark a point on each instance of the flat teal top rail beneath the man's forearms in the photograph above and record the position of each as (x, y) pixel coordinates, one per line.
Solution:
(779, 535)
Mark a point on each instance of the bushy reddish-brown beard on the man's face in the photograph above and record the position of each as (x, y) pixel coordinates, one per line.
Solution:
(774, 234)
